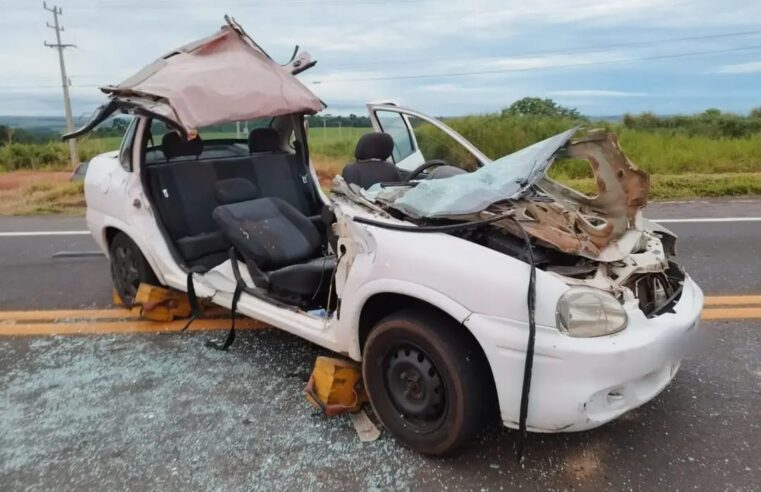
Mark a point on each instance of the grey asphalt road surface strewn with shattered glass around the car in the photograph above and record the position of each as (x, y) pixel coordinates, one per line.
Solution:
(136, 412)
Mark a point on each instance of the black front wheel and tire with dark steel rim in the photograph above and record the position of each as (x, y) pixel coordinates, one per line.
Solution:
(427, 381)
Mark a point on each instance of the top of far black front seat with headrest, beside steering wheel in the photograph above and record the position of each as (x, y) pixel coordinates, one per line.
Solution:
(371, 165)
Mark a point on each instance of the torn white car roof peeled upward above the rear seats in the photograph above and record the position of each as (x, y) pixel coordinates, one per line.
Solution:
(220, 78)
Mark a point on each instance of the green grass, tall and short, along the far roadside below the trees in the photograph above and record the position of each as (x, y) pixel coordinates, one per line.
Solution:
(681, 165)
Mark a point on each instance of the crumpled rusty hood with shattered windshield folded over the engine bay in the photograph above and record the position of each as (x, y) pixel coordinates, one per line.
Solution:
(605, 227)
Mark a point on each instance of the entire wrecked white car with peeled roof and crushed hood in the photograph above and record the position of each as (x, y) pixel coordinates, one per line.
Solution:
(460, 292)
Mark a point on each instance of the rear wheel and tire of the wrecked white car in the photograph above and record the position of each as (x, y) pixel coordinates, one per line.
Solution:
(129, 268)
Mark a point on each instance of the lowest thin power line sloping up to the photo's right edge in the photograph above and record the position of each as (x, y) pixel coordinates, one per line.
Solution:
(528, 69)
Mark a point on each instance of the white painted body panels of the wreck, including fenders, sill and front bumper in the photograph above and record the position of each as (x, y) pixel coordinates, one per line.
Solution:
(577, 383)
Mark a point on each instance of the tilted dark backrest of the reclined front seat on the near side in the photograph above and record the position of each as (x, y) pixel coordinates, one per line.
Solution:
(270, 232)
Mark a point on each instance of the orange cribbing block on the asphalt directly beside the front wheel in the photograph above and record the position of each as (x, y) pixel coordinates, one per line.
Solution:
(336, 386)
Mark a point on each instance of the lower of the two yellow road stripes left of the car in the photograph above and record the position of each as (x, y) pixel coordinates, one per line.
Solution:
(100, 328)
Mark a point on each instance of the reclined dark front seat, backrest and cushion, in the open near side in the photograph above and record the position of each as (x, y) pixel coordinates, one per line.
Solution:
(282, 249)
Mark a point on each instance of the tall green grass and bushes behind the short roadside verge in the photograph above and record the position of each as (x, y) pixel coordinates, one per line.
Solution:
(656, 151)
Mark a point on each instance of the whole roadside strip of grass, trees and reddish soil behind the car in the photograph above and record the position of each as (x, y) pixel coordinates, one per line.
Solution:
(711, 154)
